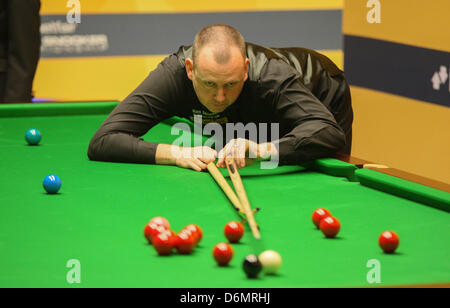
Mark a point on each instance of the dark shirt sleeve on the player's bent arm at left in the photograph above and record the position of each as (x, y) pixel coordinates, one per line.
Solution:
(118, 138)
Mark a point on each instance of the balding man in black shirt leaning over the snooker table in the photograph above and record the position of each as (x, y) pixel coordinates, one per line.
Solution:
(224, 79)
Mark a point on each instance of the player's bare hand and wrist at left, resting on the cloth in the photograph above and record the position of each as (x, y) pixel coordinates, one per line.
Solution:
(195, 158)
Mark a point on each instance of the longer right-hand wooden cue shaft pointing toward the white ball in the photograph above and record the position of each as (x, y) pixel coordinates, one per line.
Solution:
(239, 186)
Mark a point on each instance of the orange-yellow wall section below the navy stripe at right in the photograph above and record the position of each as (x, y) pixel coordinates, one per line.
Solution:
(402, 133)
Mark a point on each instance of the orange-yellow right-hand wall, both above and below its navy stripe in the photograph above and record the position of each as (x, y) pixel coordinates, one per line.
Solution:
(403, 133)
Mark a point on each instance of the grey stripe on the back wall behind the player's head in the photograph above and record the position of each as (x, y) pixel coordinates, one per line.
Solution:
(143, 34)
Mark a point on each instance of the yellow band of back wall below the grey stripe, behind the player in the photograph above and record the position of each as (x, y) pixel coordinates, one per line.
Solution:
(105, 78)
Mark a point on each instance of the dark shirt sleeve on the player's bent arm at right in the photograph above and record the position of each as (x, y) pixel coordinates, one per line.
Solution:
(309, 129)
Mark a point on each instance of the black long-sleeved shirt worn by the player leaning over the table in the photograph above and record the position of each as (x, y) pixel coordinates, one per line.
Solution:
(301, 90)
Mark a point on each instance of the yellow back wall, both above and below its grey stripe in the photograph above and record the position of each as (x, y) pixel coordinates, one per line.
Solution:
(113, 78)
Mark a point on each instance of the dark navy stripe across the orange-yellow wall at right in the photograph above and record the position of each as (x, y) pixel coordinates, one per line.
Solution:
(396, 68)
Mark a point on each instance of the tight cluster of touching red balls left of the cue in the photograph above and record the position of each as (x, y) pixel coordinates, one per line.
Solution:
(164, 240)
